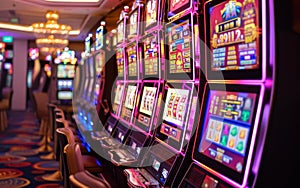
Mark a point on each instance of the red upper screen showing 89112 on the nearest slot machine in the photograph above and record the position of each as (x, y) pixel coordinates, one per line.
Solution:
(234, 35)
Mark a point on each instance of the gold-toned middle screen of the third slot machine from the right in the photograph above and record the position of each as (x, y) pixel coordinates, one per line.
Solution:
(151, 56)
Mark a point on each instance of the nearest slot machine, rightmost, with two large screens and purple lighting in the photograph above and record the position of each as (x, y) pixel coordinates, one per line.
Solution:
(237, 97)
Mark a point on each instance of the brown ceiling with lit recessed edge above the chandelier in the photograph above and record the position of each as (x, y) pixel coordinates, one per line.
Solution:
(80, 16)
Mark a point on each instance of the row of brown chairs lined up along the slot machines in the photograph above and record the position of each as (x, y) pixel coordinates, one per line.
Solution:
(78, 166)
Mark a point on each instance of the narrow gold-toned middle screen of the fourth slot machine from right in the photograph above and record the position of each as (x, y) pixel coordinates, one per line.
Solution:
(131, 51)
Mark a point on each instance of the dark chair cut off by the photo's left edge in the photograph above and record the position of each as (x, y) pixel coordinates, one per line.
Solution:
(5, 105)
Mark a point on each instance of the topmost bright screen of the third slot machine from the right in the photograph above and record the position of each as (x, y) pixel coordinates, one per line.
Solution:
(151, 11)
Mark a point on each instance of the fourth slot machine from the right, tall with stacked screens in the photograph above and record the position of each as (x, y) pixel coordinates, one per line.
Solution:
(131, 81)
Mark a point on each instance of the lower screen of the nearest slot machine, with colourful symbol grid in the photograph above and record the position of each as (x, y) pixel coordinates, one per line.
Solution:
(227, 126)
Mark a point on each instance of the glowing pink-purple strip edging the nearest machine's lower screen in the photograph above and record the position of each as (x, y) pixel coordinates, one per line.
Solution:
(251, 149)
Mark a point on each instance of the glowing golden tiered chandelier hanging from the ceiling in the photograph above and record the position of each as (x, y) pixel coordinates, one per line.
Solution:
(51, 36)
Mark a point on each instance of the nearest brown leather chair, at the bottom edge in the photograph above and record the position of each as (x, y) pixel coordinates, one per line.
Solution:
(79, 177)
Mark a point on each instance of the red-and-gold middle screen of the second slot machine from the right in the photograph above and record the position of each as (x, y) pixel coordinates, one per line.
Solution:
(179, 41)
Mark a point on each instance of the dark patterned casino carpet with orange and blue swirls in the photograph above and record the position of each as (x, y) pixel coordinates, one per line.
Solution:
(20, 163)
